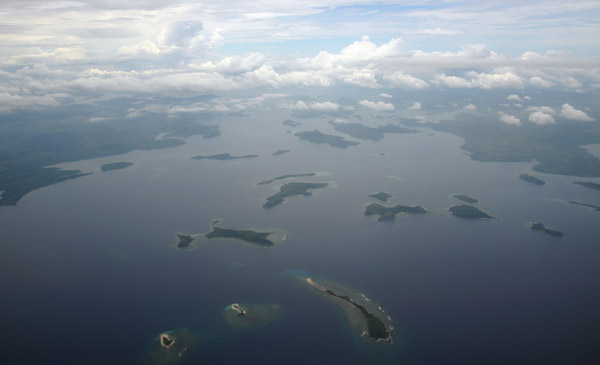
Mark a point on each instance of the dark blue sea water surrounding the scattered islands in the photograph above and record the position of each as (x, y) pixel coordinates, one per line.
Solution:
(89, 273)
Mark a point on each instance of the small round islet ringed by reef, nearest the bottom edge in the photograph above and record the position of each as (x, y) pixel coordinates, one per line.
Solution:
(170, 347)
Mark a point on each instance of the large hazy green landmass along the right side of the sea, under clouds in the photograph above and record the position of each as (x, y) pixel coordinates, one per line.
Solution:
(556, 147)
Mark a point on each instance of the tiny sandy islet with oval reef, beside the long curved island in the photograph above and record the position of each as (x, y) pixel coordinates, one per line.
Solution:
(251, 316)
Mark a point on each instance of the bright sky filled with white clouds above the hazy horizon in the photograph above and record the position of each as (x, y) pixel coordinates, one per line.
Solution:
(59, 52)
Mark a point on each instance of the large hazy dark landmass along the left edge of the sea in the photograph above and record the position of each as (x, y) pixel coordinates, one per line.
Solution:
(30, 143)
